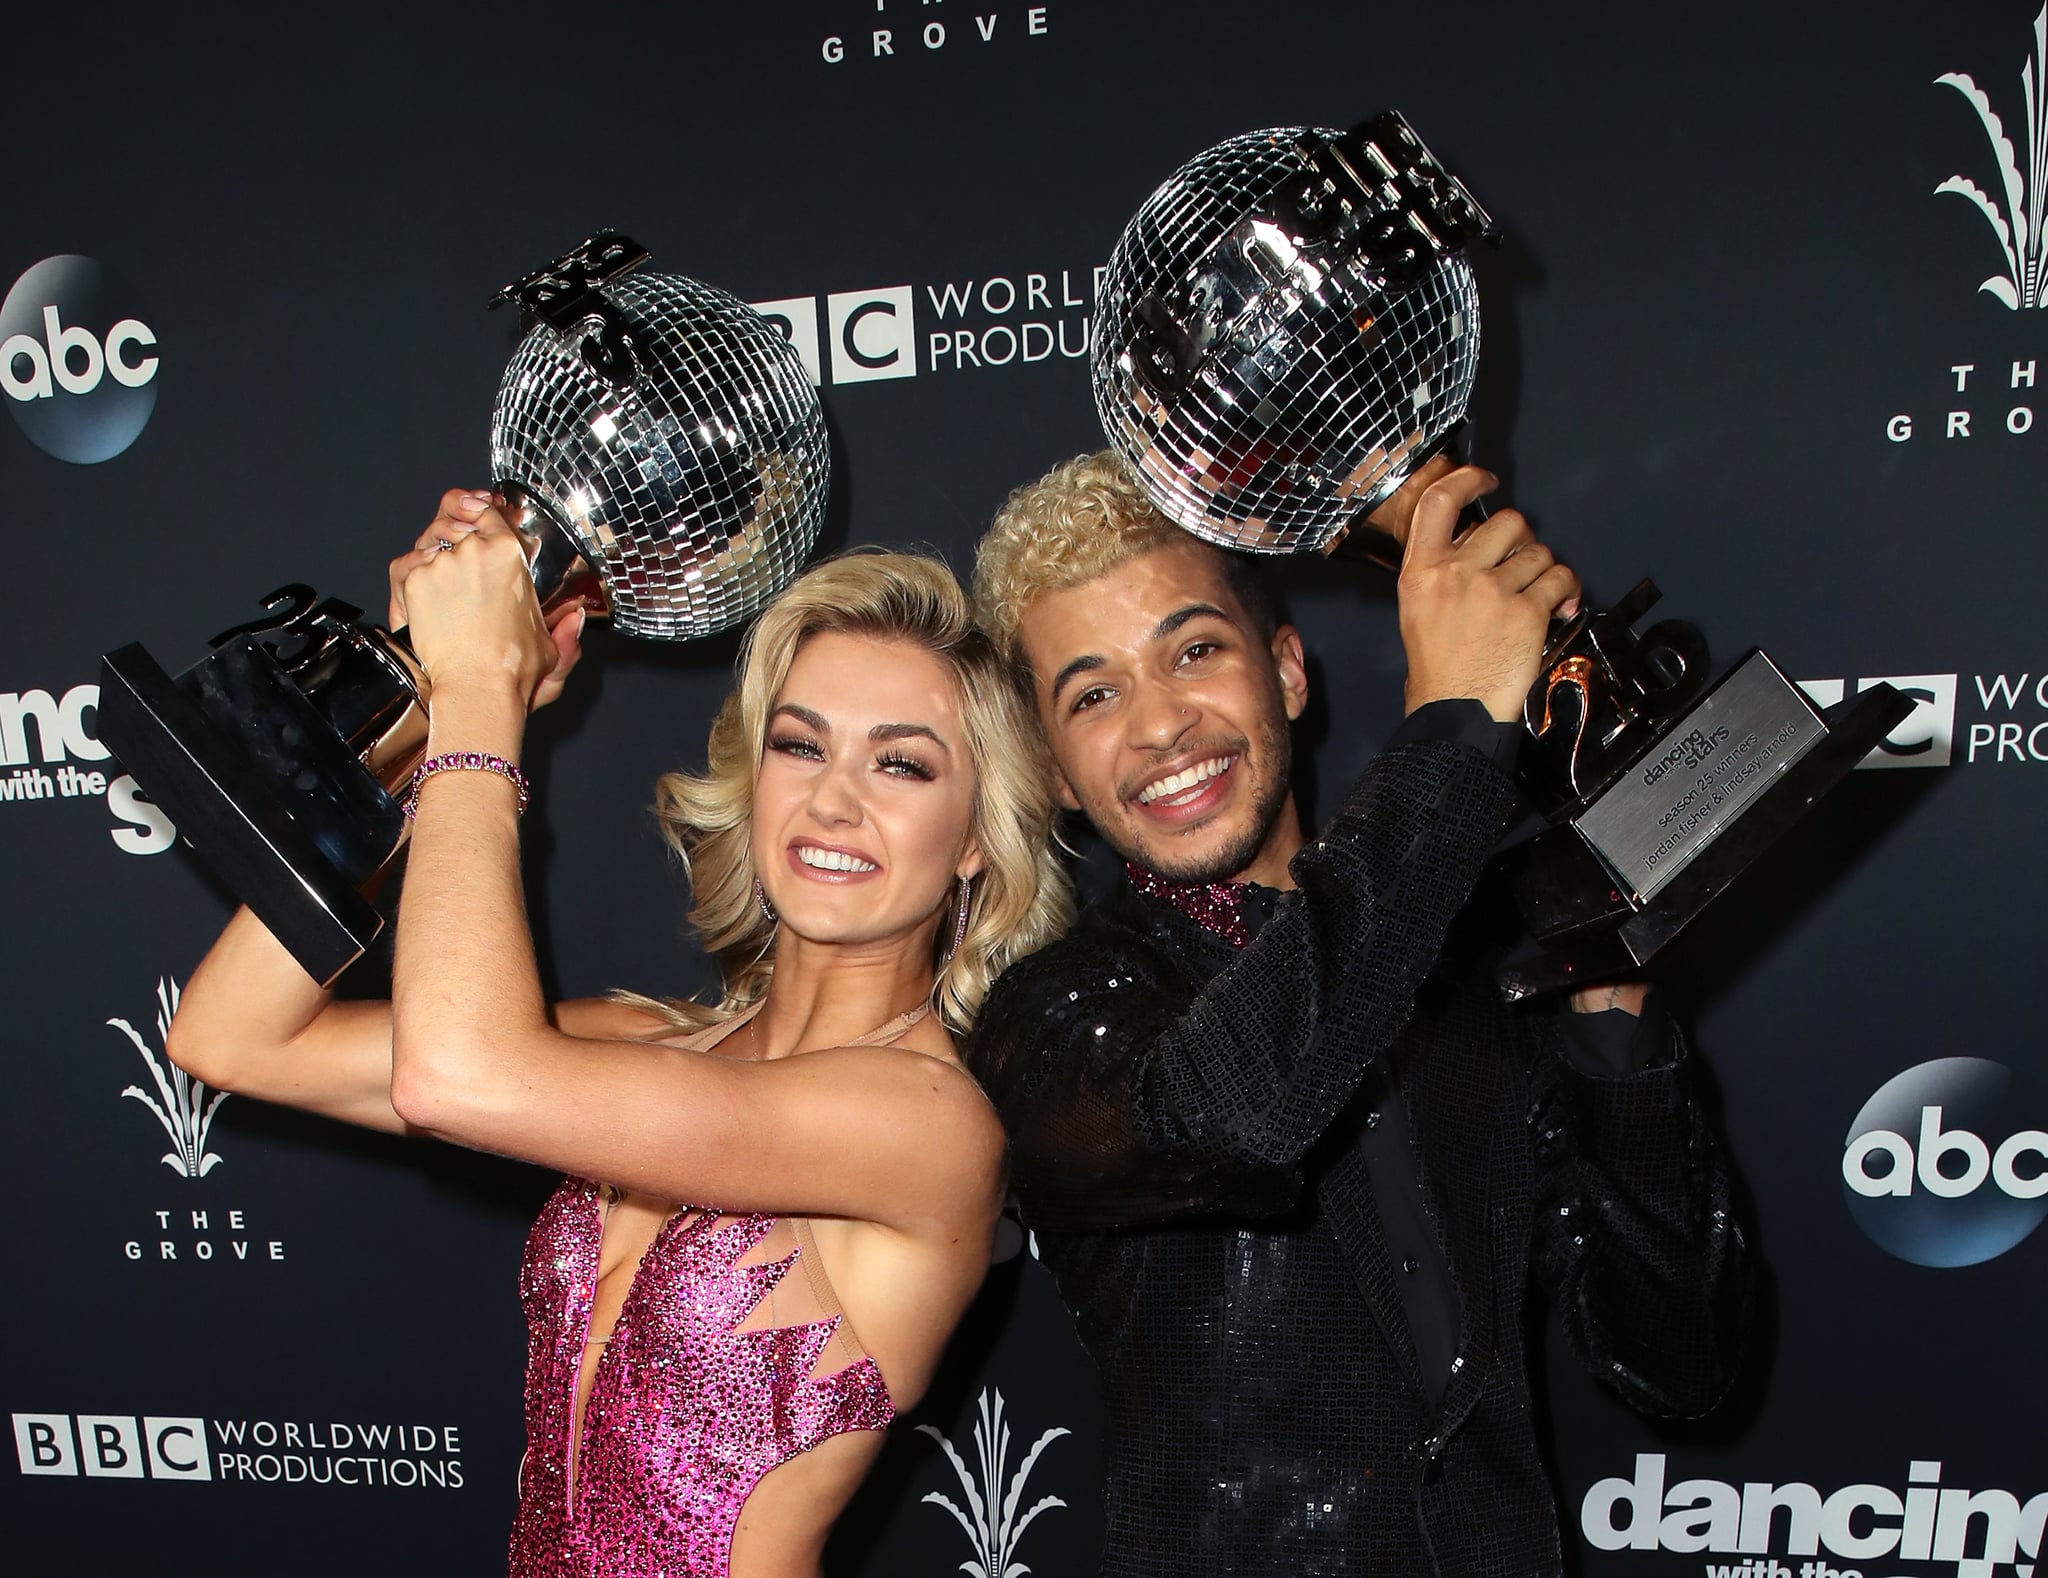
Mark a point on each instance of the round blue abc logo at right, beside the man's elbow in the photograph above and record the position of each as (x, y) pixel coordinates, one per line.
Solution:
(1949, 1164)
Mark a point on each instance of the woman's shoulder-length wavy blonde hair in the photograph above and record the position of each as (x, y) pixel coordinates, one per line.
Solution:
(1019, 902)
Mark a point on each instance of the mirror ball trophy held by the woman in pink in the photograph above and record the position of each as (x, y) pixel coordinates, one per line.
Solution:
(663, 455)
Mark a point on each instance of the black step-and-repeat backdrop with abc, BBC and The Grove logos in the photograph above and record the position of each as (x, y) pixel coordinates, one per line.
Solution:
(1768, 324)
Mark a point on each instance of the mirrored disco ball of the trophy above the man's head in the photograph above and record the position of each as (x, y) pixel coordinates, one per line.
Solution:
(1289, 328)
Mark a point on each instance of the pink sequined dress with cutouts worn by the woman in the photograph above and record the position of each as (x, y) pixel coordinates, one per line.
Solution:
(695, 1397)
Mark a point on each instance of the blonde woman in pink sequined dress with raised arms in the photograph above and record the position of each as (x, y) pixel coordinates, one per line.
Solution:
(777, 1209)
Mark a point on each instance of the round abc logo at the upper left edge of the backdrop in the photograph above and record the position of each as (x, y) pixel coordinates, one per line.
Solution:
(77, 359)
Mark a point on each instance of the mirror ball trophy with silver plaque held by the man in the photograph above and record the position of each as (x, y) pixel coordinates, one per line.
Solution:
(1289, 328)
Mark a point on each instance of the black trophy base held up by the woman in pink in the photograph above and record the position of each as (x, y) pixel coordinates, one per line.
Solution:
(263, 789)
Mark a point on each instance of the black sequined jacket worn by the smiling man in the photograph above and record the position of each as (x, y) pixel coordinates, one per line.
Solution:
(1177, 1110)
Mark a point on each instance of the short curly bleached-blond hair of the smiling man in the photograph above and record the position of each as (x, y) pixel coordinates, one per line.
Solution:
(1084, 519)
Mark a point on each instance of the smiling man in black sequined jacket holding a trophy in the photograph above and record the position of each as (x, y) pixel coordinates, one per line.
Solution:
(1291, 1161)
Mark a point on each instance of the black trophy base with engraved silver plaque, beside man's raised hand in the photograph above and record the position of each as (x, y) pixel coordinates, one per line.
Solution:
(1605, 891)
